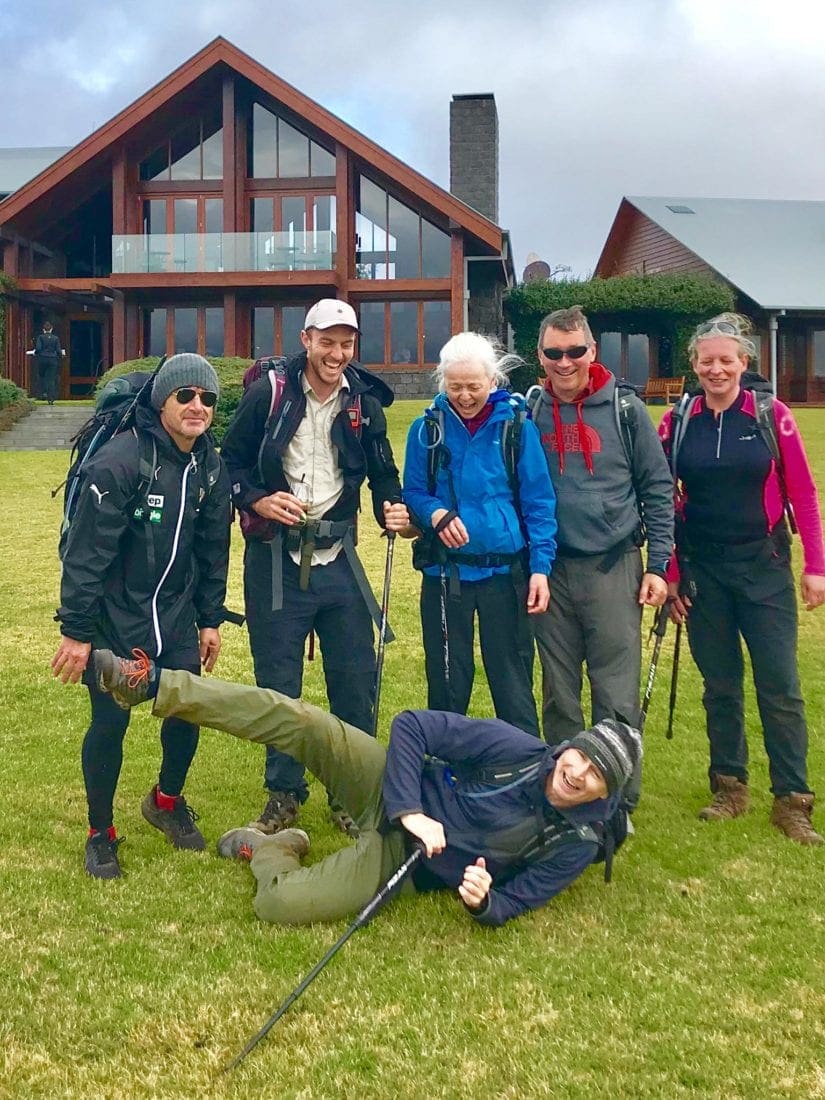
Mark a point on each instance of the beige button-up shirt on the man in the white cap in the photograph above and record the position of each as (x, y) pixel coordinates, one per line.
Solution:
(311, 463)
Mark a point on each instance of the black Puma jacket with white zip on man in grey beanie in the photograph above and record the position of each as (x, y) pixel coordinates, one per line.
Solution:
(108, 592)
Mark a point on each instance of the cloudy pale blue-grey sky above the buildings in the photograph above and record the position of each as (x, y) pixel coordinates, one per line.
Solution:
(597, 98)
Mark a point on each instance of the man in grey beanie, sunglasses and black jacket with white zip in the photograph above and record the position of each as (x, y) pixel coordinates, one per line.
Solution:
(146, 569)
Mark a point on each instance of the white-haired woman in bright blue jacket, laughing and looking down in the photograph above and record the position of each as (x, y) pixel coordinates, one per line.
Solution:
(477, 481)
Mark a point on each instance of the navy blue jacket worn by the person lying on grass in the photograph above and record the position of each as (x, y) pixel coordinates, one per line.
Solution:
(480, 818)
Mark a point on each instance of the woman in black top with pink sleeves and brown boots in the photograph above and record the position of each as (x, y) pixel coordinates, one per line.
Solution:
(733, 551)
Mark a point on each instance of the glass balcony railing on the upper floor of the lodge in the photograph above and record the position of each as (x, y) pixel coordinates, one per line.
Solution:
(137, 255)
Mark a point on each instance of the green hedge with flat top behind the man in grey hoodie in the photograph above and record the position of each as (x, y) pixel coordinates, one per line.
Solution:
(658, 305)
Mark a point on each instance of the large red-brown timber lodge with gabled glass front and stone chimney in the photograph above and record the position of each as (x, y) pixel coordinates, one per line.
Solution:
(216, 208)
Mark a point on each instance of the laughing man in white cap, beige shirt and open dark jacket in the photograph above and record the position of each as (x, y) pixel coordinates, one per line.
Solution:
(298, 456)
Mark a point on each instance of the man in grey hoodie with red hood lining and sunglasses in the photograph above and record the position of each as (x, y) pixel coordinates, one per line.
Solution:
(599, 584)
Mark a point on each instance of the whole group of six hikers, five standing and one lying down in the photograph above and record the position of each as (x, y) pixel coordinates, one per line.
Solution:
(531, 514)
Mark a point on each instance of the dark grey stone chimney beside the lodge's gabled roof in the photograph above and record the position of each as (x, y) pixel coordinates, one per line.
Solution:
(475, 152)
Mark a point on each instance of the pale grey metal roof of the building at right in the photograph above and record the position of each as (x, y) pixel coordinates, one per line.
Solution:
(772, 250)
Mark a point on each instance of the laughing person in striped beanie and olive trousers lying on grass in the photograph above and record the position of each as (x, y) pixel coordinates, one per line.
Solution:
(505, 820)
